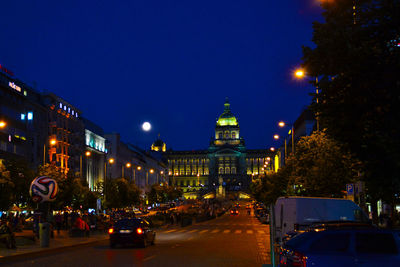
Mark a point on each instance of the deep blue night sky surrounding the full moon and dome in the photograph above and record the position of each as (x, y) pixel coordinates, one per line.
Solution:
(168, 62)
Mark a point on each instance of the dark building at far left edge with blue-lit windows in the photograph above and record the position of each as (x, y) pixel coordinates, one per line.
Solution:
(23, 121)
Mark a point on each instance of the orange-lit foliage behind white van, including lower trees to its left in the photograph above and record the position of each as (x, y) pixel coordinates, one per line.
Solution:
(320, 167)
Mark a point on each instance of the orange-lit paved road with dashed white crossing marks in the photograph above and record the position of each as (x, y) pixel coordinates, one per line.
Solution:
(226, 241)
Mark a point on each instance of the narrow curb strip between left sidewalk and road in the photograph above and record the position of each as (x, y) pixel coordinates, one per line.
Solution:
(45, 251)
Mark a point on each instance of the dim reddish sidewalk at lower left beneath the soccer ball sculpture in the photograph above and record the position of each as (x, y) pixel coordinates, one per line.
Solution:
(27, 247)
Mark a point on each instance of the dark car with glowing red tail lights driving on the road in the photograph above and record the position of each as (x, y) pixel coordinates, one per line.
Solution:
(131, 231)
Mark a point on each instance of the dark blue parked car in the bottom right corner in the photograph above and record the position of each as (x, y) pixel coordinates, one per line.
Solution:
(329, 246)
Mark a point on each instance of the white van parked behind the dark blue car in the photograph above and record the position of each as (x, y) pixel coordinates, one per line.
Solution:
(297, 213)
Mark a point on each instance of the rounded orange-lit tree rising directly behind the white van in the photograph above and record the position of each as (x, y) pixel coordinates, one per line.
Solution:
(320, 167)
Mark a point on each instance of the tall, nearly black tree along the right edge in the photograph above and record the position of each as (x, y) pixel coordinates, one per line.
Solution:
(357, 60)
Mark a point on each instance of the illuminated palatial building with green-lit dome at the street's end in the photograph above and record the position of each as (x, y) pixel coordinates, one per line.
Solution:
(226, 166)
